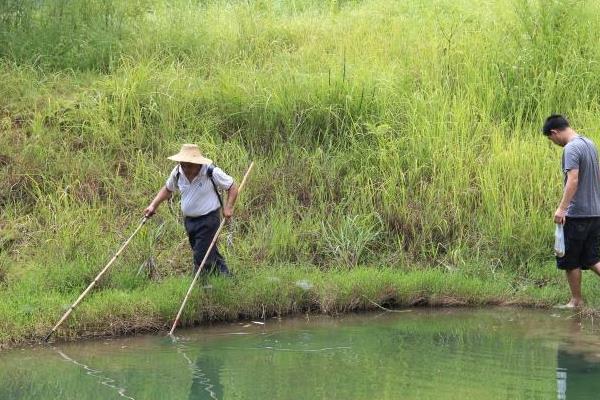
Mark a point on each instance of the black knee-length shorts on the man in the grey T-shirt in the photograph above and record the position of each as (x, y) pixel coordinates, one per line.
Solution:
(582, 243)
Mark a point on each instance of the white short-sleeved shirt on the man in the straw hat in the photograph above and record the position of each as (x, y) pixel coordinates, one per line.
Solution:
(199, 197)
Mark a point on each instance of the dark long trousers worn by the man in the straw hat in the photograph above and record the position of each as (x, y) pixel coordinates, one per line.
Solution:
(201, 231)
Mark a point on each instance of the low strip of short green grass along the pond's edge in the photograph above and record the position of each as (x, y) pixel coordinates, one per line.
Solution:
(258, 294)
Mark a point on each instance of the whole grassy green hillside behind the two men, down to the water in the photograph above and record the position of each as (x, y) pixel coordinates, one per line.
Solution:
(397, 138)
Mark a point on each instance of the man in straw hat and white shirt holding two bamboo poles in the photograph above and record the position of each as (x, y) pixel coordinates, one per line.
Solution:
(199, 180)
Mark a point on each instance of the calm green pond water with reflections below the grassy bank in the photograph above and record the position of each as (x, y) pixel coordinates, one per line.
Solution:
(496, 353)
